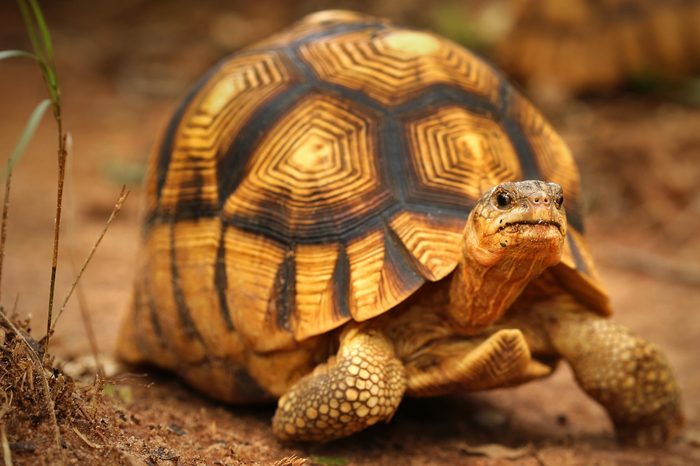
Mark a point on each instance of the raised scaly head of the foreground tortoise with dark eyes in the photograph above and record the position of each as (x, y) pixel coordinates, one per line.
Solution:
(524, 219)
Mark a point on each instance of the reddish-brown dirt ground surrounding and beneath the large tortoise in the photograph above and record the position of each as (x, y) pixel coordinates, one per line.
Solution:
(122, 68)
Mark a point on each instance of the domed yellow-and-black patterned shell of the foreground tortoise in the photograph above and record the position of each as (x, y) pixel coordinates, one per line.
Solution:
(325, 174)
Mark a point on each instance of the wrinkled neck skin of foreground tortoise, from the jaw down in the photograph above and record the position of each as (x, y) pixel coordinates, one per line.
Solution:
(491, 276)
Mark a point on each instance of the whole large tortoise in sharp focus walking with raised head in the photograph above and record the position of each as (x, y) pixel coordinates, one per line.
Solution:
(350, 212)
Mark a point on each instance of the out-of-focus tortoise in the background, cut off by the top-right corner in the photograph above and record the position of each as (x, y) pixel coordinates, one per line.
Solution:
(613, 42)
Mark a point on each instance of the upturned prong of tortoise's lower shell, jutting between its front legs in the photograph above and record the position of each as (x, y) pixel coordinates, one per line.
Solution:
(469, 364)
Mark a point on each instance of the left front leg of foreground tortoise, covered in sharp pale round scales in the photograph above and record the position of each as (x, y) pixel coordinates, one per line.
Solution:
(355, 389)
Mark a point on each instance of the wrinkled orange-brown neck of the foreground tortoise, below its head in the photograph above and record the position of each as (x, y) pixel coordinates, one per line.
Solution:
(482, 290)
